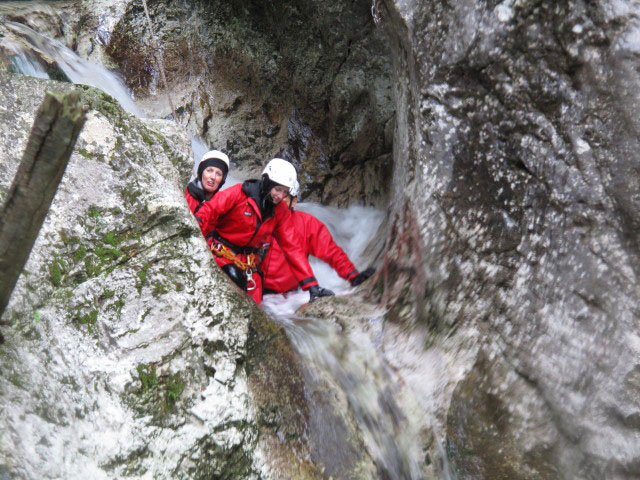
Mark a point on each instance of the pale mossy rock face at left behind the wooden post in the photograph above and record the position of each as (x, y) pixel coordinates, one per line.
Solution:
(126, 352)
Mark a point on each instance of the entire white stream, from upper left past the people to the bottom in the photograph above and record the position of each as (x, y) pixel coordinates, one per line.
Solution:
(353, 362)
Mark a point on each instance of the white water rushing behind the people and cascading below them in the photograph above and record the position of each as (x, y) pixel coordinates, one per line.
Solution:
(353, 362)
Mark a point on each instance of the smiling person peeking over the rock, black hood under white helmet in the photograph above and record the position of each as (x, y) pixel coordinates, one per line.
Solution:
(212, 173)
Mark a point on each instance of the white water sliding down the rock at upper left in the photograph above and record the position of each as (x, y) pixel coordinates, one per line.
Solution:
(75, 68)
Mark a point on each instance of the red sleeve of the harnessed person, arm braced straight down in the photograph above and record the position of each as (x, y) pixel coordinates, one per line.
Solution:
(291, 245)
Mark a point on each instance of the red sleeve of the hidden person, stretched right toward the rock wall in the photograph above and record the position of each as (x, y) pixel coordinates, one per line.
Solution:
(320, 244)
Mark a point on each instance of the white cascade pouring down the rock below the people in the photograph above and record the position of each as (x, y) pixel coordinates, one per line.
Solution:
(358, 369)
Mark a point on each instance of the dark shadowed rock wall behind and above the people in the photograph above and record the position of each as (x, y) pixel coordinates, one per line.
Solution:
(308, 81)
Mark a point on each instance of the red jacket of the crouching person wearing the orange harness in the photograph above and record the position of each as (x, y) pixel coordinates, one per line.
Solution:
(236, 217)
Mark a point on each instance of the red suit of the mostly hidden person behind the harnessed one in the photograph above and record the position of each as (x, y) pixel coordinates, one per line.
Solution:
(315, 239)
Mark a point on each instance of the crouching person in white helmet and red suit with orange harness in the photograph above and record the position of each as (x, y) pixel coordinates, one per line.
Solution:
(238, 223)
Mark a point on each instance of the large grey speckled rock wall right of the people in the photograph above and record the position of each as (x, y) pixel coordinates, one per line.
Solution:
(513, 229)
